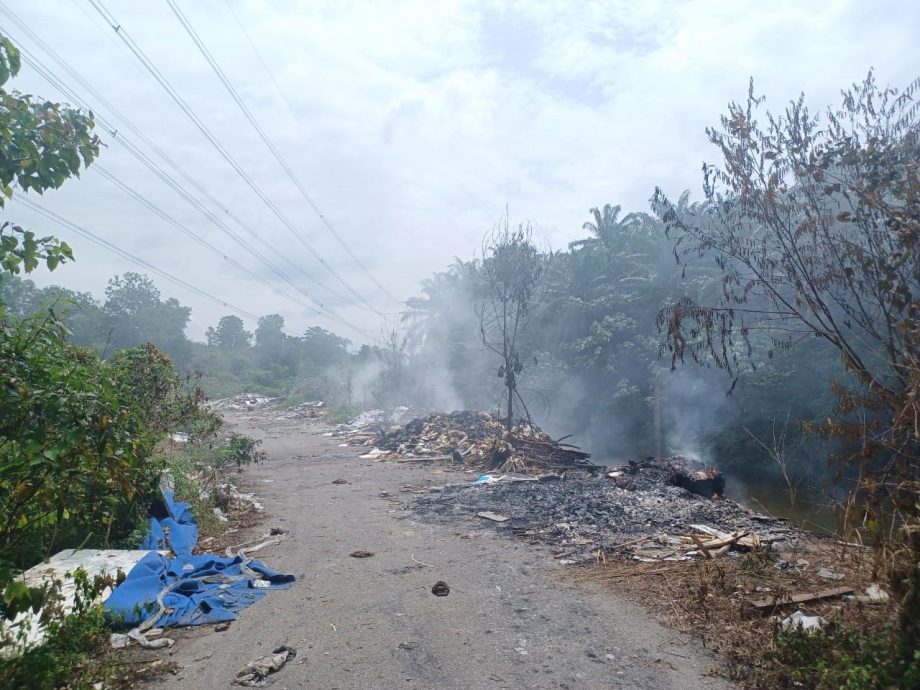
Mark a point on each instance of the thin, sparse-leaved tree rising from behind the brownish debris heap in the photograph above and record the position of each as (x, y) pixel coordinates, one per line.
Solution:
(513, 269)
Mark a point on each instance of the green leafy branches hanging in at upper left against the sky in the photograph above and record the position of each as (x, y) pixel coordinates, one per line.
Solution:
(42, 145)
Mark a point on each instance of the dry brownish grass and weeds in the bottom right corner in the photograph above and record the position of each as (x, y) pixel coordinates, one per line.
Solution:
(858, 649)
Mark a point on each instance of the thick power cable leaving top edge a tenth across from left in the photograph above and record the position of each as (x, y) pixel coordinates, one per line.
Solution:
(197, 121)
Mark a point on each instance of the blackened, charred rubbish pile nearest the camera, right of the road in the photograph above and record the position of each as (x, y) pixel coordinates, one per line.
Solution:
(642, 514)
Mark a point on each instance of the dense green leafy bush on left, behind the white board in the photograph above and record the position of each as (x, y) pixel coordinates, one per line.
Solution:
(77, 438)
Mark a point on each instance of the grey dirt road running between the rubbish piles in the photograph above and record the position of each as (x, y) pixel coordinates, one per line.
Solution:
(510, 620)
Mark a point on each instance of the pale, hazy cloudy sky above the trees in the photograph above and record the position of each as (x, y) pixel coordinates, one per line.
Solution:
(411, 126)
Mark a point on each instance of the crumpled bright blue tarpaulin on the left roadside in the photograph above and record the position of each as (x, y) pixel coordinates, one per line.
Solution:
(187, 589)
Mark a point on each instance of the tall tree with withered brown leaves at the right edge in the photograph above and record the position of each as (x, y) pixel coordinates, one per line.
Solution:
(815, 228)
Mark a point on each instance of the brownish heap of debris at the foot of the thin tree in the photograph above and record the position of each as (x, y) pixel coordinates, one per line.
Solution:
(479, 439)
